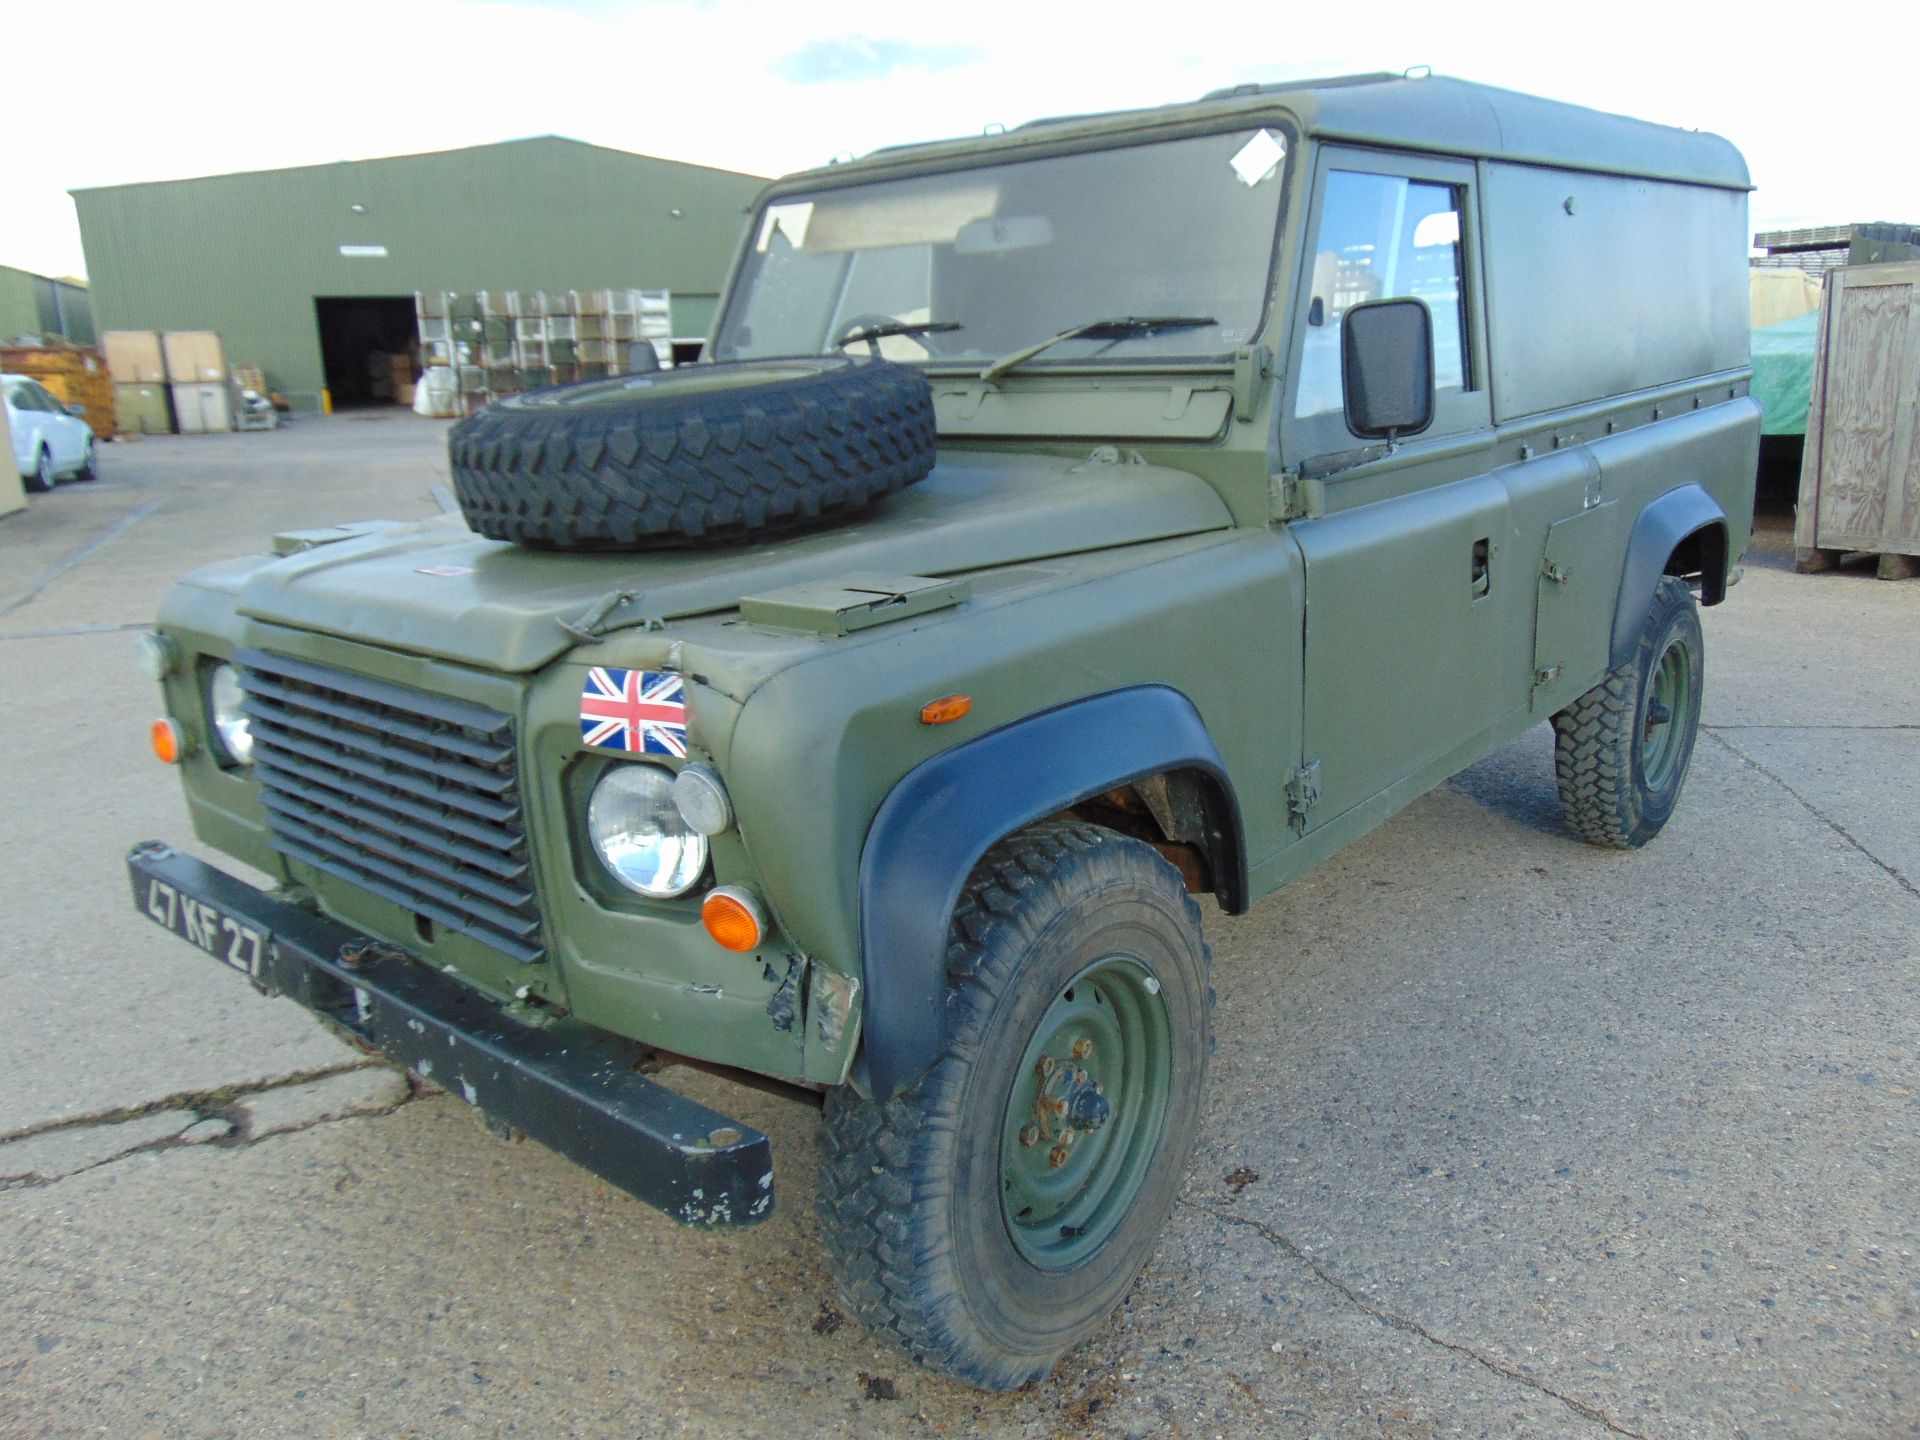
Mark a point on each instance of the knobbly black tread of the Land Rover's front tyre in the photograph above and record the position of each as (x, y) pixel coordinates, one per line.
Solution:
(869, 1151)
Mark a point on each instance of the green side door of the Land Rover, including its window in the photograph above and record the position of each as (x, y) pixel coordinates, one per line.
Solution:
(1406, 562)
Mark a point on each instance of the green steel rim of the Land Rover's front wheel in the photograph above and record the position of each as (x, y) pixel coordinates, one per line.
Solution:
(1105, 1045)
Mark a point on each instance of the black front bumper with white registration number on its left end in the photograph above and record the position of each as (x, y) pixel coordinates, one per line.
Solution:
(571, 1088)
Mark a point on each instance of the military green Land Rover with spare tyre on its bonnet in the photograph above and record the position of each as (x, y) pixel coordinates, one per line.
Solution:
(1068, 523)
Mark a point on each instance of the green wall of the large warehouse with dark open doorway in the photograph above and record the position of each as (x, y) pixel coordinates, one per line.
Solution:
(247, 254)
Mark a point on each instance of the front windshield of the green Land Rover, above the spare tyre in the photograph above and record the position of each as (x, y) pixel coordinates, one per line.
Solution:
(1007, 256)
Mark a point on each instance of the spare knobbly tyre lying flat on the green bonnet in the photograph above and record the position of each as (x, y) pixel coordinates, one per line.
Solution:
(698, 456)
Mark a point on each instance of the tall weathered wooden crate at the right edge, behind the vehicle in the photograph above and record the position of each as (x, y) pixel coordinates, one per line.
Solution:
(1861, 471)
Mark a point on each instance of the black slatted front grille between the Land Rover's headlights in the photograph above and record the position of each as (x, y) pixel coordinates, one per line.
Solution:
(410, 796)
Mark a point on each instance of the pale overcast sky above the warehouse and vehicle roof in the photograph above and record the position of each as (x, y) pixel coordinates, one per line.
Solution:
(160, 89)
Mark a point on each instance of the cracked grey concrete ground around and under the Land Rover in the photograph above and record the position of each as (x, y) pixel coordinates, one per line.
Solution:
(1508, 1136)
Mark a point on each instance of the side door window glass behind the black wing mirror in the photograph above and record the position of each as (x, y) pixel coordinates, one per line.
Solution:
(1383, 237)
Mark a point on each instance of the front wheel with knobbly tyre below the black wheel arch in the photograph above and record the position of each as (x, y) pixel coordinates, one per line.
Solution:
(913, 1189)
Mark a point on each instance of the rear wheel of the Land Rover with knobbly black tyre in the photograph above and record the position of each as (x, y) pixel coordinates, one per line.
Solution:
(1618, 763)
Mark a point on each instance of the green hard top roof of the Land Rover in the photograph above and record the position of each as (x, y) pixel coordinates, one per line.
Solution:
(1412, 112)
